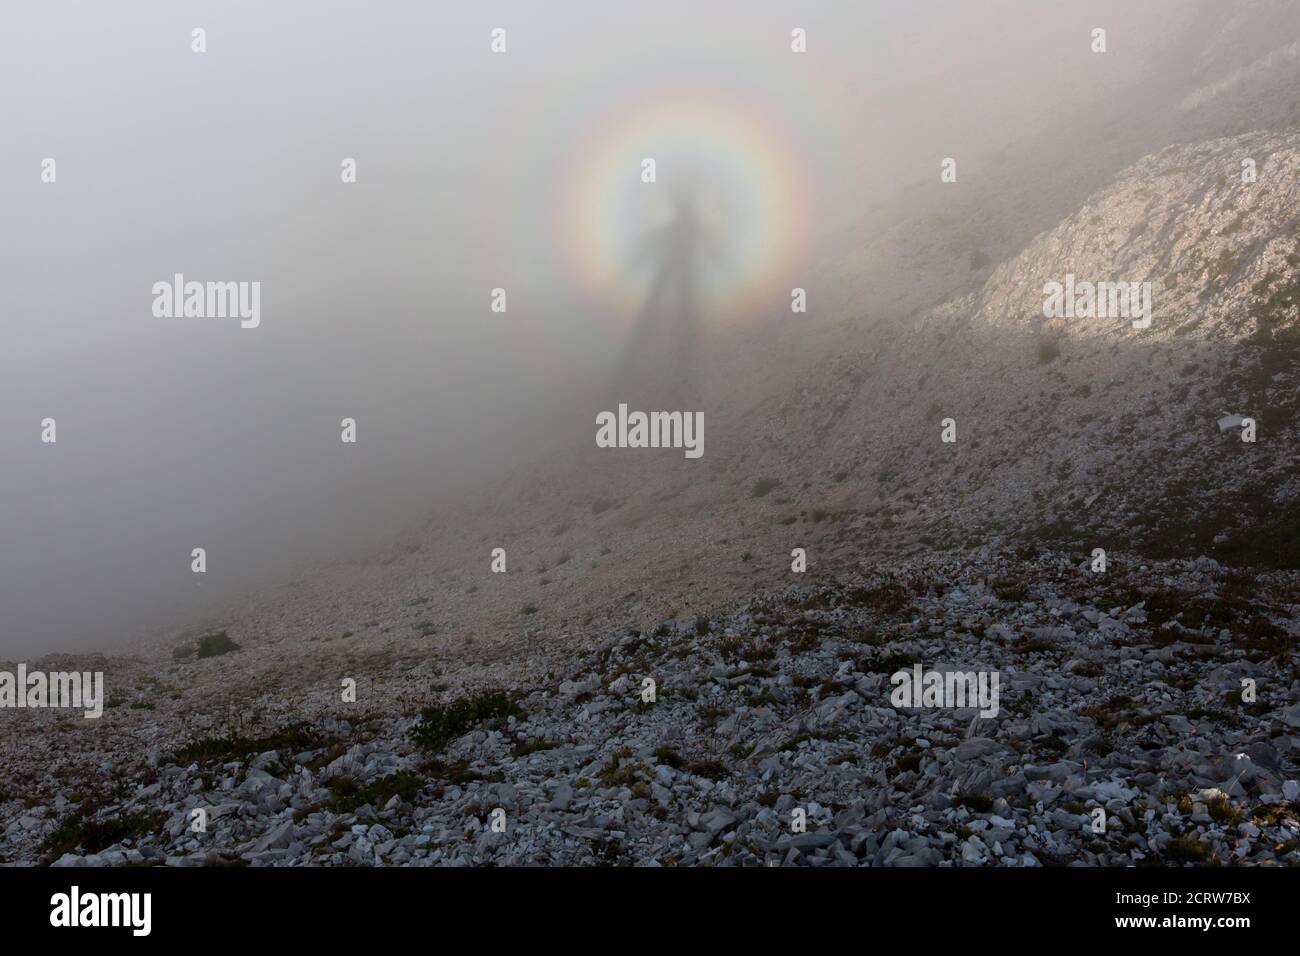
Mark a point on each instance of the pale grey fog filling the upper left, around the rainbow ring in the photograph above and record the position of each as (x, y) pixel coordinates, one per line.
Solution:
(475, 171)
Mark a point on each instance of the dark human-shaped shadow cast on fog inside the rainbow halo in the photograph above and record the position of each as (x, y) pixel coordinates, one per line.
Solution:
(660, 367)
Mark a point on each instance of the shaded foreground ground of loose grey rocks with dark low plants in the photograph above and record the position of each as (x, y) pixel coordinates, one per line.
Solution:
(1121, 691)
